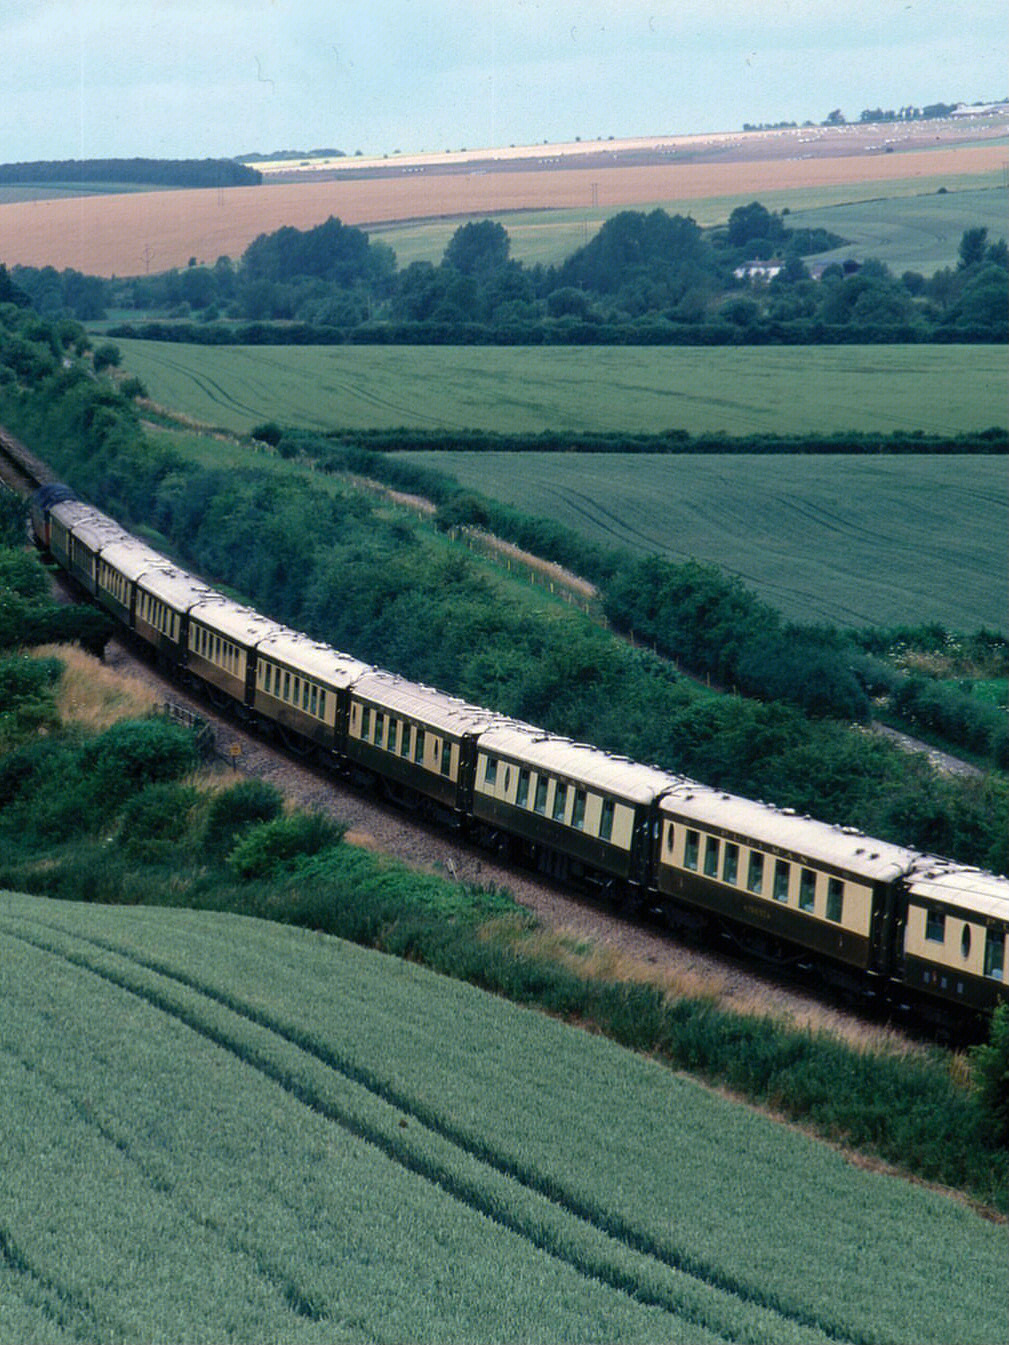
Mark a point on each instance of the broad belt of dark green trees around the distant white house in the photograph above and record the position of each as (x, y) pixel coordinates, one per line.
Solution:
(644, 279)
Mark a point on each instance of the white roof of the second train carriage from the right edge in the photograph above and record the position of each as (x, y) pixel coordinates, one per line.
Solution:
(763, 825)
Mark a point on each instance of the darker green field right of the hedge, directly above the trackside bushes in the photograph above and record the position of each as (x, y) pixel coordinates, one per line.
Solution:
(876, 540)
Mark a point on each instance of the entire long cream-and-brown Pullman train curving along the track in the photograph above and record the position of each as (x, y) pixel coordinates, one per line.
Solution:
(881, 919)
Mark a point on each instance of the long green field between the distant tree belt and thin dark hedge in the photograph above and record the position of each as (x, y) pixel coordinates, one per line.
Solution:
(788, 391)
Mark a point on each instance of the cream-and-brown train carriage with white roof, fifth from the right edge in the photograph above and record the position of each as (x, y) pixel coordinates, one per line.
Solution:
(303, 687)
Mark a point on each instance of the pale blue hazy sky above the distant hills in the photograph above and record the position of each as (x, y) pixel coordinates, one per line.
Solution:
(207, 79)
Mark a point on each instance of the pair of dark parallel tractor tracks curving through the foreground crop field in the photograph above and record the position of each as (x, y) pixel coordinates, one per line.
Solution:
(595, 1242)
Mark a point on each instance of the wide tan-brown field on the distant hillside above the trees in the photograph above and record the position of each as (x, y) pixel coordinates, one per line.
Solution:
(154, 232)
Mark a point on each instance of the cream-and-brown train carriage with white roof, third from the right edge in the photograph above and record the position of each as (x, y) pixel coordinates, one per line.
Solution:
(578, 810)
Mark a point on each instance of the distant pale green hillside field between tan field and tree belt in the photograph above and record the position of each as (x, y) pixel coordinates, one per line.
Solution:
(906, 224)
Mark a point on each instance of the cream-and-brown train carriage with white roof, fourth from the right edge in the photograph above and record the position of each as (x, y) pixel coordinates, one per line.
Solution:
(416, 739)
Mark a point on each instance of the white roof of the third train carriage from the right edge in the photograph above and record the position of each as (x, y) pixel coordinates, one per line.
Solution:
(578, 762)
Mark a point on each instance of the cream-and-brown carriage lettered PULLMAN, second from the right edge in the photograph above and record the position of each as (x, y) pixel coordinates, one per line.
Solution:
(794, 882)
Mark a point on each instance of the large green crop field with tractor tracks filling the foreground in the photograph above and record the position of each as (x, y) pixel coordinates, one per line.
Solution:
(225, 1130)
